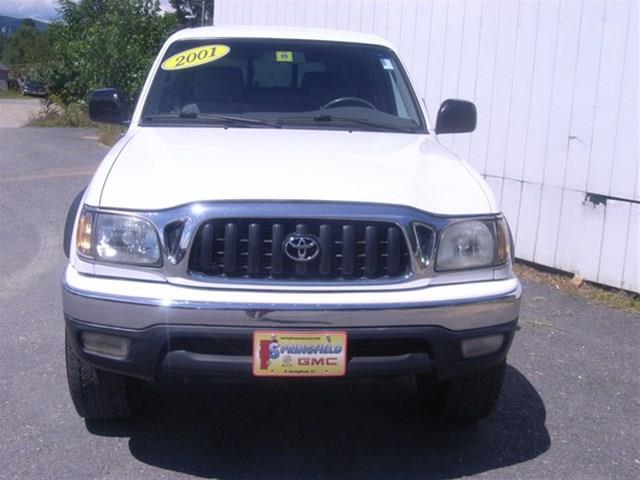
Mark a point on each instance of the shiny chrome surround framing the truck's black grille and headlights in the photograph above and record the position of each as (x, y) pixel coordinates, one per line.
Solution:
(187, 219)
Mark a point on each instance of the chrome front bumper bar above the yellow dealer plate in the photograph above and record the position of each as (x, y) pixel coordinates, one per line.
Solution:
(137, 305)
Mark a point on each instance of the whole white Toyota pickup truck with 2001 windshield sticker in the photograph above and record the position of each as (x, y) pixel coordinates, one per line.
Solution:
(280, 206)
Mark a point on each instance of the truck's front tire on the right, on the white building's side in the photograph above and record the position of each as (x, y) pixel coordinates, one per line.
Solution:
(467, 398)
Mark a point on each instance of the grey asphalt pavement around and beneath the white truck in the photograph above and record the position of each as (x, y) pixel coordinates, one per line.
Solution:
(570, 407)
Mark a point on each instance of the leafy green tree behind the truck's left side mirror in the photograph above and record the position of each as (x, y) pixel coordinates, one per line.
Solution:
(105, 43)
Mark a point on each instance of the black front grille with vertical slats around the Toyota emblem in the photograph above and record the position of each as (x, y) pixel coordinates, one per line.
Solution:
(253, 248)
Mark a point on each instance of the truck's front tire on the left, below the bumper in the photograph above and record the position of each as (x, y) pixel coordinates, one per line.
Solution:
(96, 394)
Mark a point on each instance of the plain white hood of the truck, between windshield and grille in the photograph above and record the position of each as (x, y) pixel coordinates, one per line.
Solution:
(163, 167)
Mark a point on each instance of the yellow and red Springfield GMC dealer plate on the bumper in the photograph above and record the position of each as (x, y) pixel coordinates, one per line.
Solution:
(299, 354)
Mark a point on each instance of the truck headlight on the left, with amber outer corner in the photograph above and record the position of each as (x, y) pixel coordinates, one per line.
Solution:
(118, 239)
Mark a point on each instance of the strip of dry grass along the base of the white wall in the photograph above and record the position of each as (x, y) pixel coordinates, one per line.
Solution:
(611, 297)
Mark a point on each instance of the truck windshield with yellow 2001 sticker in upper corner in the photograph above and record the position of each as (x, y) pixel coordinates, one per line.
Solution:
(282, 84)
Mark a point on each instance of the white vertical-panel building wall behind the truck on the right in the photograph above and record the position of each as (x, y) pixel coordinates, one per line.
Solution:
(556, 86)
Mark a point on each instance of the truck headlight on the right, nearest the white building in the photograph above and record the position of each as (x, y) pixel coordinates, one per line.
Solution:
(473, 244)
